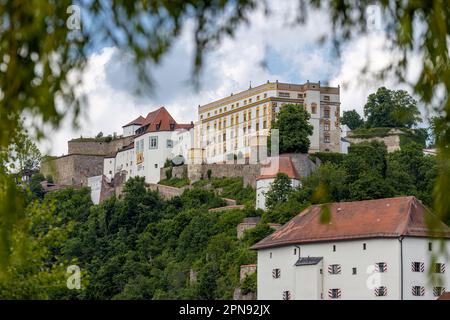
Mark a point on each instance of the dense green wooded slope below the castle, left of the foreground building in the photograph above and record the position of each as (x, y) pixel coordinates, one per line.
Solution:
(137, 247)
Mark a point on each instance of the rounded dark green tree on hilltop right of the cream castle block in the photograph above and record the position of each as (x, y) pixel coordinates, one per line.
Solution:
(391, 108)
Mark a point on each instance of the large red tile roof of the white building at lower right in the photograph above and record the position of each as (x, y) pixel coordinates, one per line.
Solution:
(382, 218)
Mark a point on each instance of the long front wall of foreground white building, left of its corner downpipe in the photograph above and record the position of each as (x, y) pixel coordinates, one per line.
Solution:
(349, 254)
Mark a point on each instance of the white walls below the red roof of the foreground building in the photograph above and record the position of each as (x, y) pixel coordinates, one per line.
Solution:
(349, 254)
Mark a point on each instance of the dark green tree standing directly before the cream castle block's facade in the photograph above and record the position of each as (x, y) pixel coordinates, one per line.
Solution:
(294, 128)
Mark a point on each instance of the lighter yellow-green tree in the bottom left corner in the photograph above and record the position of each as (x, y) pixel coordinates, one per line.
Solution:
(35, 272)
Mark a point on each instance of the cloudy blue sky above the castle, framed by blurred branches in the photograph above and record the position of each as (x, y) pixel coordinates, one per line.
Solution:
(268, 48)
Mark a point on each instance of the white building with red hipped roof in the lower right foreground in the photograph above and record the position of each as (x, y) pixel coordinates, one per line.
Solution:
(374, 249)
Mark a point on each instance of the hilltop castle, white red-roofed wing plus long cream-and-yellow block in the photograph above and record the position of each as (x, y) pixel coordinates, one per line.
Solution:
(229, 129)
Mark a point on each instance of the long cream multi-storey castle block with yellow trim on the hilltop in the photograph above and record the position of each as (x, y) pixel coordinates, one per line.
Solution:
(238, 125)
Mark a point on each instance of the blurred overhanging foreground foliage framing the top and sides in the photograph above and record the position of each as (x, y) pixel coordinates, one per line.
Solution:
(26, 92)
